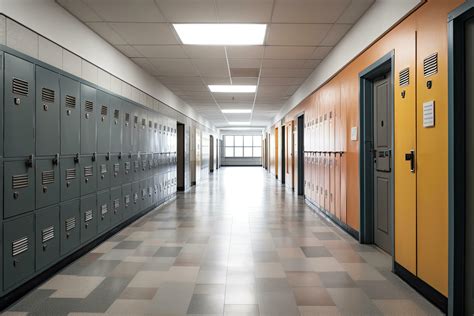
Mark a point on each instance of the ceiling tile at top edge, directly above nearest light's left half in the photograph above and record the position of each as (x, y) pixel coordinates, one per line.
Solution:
(188, 11)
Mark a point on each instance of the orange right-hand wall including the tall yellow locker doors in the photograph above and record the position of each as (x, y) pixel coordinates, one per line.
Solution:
(421, 236)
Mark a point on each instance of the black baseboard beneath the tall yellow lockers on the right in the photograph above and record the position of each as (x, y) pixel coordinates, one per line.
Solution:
(431, 294)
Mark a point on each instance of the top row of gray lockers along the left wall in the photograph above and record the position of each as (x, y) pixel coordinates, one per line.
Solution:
(48, 113)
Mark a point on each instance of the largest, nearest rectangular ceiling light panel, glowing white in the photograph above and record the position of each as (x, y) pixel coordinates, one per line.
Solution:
(221, 33)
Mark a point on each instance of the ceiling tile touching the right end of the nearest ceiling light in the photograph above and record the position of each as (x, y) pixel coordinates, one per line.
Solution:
(297, 34)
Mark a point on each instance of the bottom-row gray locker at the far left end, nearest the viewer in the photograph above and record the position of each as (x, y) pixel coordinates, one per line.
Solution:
(19, 250)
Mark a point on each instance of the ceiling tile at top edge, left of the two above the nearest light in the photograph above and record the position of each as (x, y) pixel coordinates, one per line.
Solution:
(126, 10)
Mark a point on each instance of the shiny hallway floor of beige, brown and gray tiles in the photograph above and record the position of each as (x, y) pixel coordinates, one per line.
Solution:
(237, 245)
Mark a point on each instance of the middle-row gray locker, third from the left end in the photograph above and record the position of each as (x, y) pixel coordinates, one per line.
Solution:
(70, 177)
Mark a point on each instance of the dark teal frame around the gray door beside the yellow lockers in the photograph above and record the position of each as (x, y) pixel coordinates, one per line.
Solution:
(366, 163)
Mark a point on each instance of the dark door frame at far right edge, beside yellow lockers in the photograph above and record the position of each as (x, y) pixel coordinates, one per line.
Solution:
(457, 159)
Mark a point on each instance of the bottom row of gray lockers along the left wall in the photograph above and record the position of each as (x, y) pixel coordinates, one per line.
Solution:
(34, 241)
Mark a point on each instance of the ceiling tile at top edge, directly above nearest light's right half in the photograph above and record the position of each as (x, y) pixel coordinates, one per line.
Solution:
(239, 11)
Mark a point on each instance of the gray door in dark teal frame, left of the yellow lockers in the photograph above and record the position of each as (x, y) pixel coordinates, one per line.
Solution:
(382, 163)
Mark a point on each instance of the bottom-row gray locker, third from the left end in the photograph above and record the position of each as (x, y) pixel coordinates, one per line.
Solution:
(70, 226)
